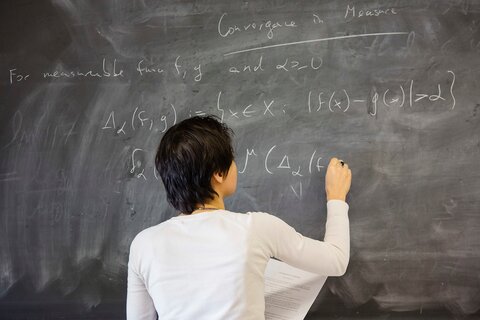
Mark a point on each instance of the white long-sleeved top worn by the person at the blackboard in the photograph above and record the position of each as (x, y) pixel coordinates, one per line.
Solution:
(211, 265)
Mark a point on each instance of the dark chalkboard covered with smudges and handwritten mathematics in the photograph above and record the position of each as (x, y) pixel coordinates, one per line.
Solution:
(391, 87)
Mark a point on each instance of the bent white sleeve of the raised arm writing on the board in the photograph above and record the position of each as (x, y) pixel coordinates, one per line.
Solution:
(329, 257)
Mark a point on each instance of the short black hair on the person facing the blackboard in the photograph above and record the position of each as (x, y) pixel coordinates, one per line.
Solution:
(189, 154)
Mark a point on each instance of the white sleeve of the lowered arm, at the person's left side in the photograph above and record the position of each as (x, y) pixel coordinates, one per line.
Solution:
(139, 303)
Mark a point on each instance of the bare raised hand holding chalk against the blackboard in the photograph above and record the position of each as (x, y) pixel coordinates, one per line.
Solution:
(337, 180)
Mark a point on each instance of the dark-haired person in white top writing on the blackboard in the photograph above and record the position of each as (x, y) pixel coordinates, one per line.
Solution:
(208, 262)
